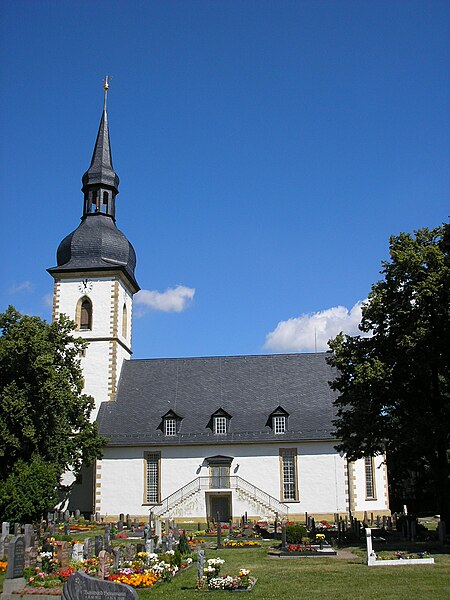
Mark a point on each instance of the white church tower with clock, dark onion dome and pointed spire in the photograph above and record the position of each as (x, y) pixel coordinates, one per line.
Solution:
(94, 276)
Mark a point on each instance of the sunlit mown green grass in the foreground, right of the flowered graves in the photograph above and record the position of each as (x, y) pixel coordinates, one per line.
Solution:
(330, 578)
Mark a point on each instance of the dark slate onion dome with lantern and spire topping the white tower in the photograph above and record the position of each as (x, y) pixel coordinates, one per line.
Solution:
(97, 245)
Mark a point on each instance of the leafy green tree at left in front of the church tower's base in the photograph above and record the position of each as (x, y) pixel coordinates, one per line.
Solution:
(44, 416)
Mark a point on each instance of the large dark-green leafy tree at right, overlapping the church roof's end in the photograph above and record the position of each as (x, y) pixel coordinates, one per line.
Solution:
(394, 379)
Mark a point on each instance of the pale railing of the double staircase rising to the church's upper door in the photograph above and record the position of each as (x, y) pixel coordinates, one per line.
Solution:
(224, 482)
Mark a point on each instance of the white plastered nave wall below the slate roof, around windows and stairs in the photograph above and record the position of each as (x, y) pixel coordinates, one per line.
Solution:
(321, 477)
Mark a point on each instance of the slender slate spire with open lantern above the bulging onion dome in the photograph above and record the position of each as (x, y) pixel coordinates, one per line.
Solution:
(101, 182)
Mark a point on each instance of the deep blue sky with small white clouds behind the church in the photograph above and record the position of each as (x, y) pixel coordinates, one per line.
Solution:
(266, 151)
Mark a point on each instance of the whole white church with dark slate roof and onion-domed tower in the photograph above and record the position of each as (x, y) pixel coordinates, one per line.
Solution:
(192, 437)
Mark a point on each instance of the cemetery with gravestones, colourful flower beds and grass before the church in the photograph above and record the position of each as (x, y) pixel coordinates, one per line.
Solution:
(130, 559)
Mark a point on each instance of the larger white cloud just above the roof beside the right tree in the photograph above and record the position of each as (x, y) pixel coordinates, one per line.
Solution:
(309, 332)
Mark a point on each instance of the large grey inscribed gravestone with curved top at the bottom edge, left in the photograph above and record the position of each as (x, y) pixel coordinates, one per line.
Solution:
(80, 586)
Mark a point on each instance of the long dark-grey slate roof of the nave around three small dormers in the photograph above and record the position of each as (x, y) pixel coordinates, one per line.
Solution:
(249, 388)
